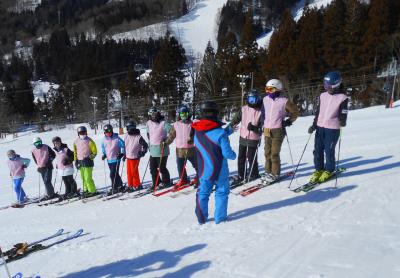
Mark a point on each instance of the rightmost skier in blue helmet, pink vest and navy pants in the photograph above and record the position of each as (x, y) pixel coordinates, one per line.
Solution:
(331, 115)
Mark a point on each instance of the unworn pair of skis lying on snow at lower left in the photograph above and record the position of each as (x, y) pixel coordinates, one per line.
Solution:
(22, 250)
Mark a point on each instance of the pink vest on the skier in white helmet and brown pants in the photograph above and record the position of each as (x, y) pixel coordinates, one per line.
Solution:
(275, 112)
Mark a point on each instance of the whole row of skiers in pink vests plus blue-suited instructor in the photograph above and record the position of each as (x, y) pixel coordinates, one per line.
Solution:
(203, 142)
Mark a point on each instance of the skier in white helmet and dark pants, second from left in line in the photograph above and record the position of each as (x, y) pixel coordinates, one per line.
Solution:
(43, 156)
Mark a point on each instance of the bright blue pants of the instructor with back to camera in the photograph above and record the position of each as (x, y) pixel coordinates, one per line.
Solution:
(221, 199)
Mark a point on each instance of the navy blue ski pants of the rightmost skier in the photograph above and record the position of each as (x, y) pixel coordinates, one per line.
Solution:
(325, 143)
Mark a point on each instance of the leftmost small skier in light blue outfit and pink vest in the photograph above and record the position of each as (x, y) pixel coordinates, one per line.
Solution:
(17, 166)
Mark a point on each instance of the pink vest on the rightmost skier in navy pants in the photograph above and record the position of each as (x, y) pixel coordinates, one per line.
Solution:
(328, 116)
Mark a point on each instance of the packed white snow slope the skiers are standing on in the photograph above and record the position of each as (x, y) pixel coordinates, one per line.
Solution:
(349, 231)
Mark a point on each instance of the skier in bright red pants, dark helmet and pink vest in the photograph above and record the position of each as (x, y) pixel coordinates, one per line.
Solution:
(136, 148)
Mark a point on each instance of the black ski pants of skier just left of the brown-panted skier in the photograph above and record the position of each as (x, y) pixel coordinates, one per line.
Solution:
(251, 156)
